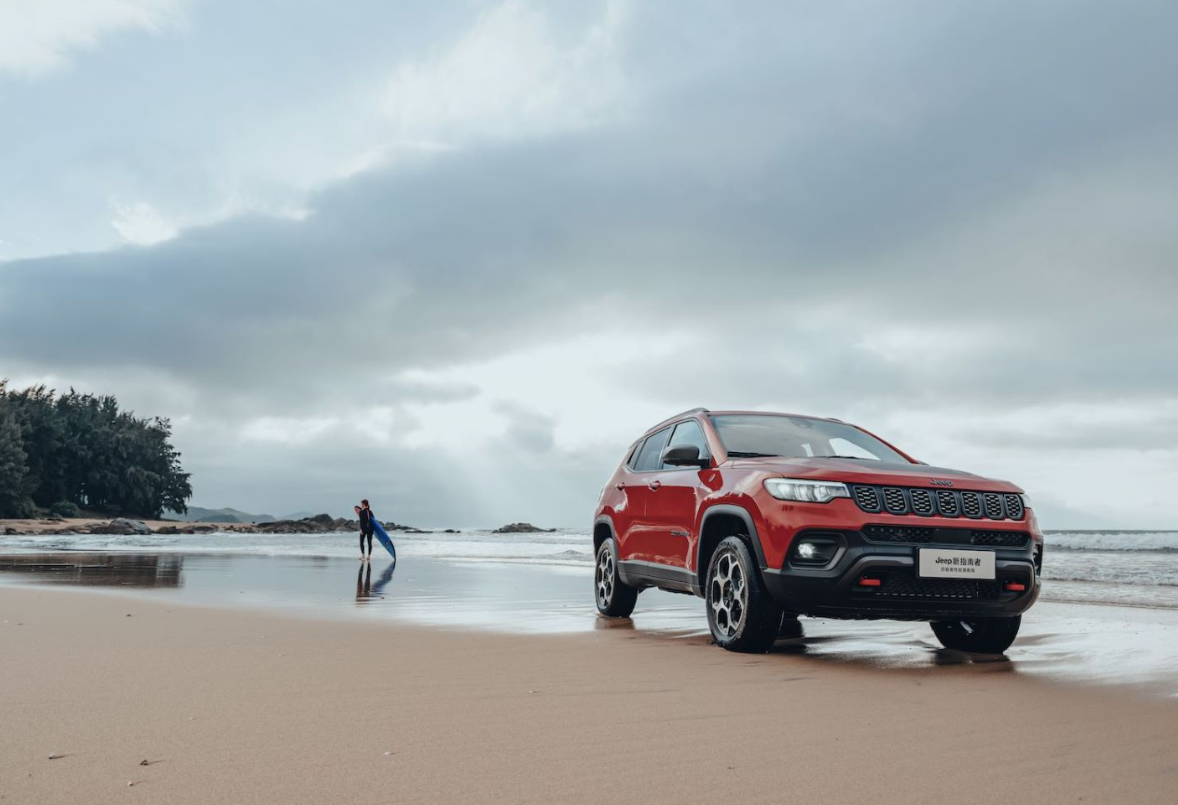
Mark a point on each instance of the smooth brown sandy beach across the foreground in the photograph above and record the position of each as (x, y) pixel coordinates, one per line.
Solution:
(252, 708)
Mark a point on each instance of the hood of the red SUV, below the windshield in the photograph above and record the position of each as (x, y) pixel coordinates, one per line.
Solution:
(851, 471)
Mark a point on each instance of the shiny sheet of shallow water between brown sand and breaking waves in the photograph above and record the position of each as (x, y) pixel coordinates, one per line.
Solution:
(1095, 644)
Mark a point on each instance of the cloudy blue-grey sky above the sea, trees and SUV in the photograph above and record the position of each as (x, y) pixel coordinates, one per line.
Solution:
(455, 258)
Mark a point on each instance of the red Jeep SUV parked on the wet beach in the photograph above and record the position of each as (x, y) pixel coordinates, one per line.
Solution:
(767, 517)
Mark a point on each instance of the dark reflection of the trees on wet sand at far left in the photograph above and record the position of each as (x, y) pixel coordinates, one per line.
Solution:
(143, 571)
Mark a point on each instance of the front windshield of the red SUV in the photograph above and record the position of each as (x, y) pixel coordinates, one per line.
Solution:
(750, 436)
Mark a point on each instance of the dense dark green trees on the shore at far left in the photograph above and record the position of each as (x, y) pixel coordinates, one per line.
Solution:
(71, 452)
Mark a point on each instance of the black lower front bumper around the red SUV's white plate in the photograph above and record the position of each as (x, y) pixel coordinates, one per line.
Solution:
(836, 591)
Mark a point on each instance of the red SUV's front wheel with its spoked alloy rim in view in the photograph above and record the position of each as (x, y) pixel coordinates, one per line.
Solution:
(742, 615)
